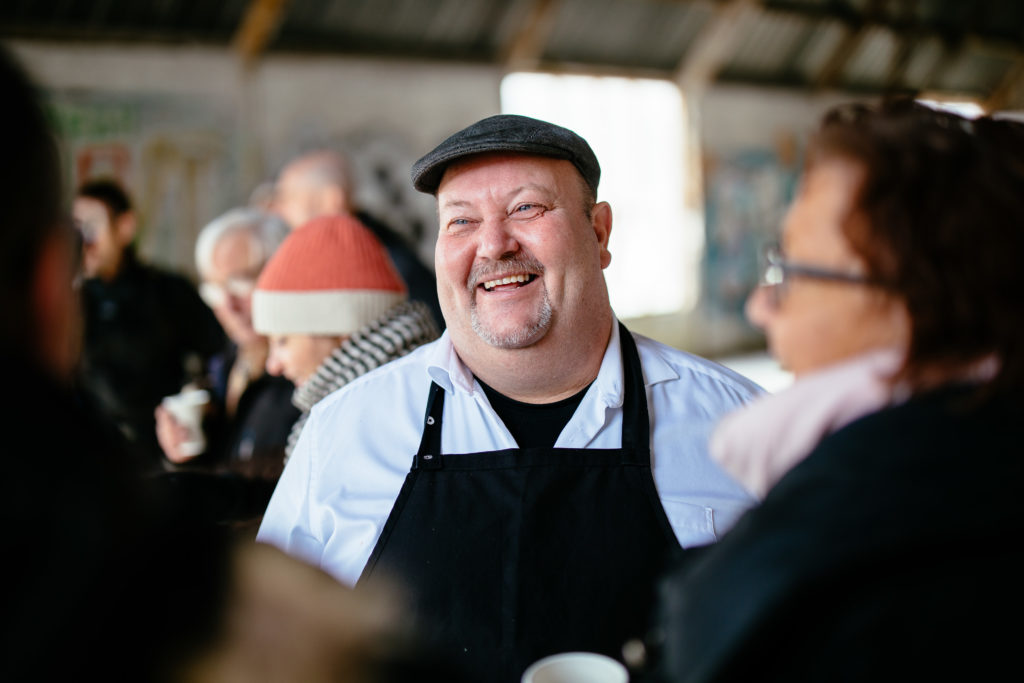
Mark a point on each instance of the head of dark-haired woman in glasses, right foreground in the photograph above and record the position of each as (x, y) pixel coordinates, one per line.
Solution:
(907, 233)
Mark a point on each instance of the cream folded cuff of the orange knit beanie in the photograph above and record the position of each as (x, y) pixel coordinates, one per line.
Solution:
(320, 313)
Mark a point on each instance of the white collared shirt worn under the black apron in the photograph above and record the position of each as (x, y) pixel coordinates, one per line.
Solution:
(356, 450)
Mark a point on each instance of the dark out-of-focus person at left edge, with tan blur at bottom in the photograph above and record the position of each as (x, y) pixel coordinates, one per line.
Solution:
(106, 579)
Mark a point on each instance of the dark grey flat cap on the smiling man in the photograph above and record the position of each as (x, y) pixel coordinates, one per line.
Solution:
(507, 133)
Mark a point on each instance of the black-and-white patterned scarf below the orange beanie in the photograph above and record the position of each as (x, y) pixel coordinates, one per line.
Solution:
(392, 336)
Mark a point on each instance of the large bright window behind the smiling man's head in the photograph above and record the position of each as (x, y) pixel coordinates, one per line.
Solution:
(637, 129)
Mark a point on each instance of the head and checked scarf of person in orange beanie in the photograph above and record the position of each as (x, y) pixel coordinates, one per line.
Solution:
(334, 309)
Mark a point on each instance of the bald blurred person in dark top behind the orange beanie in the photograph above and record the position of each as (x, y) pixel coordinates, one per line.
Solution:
(320, 184)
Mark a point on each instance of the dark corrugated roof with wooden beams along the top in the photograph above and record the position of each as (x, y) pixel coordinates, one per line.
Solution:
(953, 47)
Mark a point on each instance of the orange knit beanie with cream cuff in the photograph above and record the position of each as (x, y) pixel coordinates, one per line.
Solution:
(330, 277)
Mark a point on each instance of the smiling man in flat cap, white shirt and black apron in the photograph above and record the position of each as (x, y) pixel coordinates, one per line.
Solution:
(526, 478)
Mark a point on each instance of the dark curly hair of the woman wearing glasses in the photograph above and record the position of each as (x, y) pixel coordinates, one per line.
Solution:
(943, 203)
